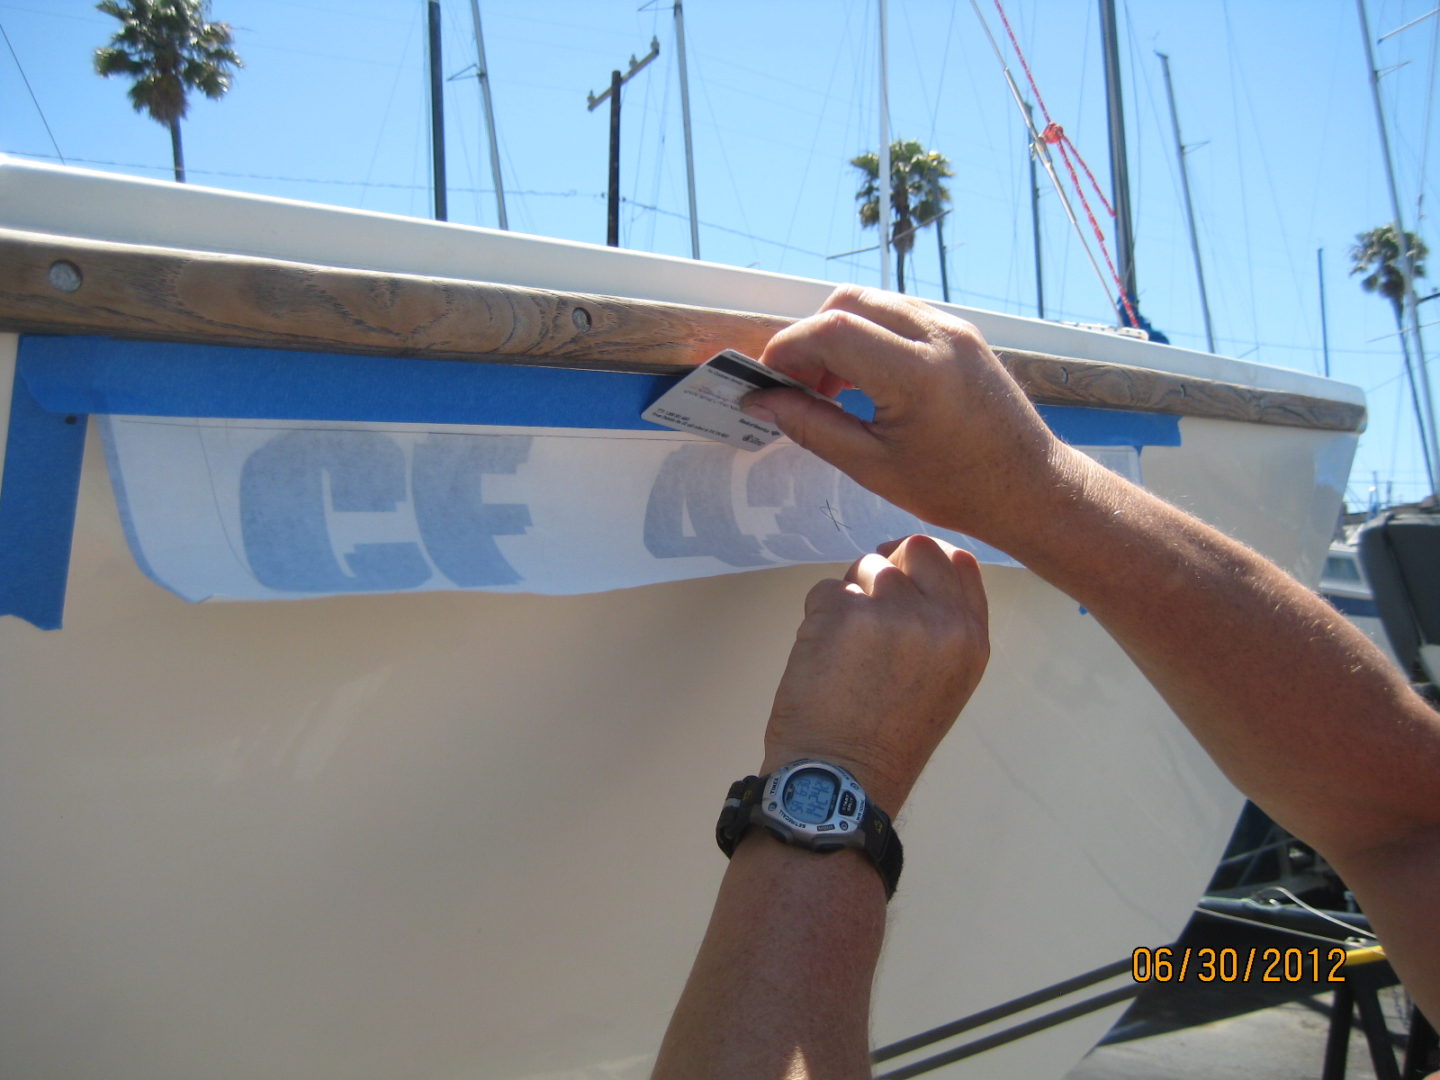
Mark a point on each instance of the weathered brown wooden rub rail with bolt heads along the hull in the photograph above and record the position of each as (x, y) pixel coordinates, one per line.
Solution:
(66, 286)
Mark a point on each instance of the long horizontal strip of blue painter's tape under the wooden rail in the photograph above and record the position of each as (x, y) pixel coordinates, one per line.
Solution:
(152, 379)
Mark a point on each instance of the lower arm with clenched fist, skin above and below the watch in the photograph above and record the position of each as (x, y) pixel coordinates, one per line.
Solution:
(882, 666)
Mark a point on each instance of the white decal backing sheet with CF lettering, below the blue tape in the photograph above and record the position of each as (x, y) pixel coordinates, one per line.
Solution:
(256, 510)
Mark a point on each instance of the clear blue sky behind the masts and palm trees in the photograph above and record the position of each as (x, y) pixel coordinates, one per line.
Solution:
(1272, 94)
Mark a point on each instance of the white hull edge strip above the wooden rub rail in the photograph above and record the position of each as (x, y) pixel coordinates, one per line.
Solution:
(77, 202)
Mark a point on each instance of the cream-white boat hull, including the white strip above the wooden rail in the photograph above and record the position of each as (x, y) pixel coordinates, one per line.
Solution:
(470, 836)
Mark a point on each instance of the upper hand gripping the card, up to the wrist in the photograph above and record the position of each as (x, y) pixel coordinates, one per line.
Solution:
(954, 438)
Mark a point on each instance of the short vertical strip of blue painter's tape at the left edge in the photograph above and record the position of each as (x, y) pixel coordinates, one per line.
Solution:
(42, 479)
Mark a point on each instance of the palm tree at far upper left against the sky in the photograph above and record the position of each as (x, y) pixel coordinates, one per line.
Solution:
(169, 50)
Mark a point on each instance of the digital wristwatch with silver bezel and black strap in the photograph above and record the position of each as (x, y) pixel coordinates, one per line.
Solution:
(814, 806)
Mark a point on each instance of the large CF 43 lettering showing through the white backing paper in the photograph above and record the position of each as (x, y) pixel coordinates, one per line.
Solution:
(333, 510)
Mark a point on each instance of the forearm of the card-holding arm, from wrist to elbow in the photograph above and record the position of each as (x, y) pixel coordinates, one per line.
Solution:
(1268, 678)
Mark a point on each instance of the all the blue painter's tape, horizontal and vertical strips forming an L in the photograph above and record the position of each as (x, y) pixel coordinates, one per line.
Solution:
(63, 378)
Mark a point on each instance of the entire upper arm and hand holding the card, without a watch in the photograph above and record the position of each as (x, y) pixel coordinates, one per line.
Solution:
(1297, 706)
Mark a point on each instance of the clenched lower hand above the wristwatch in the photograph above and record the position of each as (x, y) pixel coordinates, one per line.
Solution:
(882, 666)
